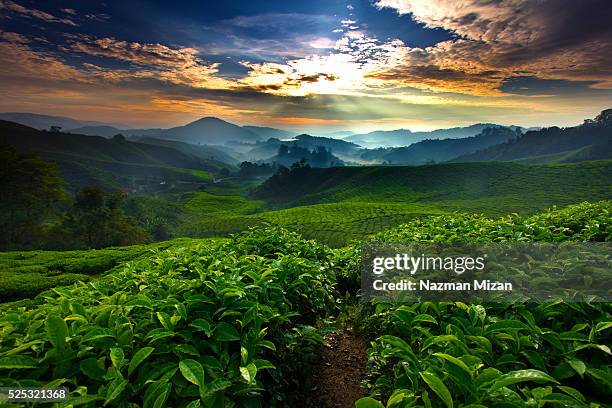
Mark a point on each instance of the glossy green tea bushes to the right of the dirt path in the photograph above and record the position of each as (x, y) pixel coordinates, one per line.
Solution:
(524, 354)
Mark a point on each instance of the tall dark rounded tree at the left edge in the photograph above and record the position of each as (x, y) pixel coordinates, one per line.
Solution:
(31, 193)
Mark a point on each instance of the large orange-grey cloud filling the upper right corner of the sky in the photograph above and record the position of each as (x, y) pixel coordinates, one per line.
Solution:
(510, 37)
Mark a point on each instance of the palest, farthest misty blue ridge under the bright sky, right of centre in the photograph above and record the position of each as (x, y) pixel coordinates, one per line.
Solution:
(404, 137)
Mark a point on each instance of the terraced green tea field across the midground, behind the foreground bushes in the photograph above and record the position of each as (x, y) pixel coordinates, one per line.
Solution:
(338, 205)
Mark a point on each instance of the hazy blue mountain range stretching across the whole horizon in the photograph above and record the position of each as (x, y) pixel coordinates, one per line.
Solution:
(223, 144)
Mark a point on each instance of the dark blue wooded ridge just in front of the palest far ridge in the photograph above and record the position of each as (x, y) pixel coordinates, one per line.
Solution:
(441, 150)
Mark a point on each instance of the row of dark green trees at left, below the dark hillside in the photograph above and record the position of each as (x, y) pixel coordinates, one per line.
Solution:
(37, 212)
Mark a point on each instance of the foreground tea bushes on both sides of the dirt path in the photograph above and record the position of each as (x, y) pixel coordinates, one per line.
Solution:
(239, 322)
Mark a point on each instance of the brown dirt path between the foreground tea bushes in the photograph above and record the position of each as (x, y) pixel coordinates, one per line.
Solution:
(336, 383)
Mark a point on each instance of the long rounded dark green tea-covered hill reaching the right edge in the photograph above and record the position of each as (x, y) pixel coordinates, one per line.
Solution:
(486, 187)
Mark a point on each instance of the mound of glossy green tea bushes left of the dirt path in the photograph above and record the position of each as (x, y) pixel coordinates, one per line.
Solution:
(209, 324)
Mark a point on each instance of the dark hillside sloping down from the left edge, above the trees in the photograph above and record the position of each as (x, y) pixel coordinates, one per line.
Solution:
(109, 163)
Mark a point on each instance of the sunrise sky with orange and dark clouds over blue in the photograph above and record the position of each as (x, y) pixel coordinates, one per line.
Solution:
(314, 66)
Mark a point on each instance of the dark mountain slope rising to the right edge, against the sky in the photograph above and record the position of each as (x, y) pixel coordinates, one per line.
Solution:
(589, 141)
